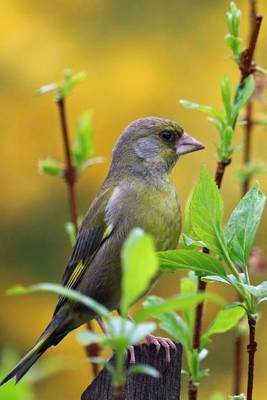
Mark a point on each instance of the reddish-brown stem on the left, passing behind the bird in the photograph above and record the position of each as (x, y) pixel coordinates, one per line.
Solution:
(70, 176)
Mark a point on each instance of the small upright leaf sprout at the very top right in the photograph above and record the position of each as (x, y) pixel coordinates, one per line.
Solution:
(232, 38)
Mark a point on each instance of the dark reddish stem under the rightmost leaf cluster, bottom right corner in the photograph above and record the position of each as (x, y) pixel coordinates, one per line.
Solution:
(251, 349)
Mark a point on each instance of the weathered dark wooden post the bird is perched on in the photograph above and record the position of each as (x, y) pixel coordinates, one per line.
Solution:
(143, 387)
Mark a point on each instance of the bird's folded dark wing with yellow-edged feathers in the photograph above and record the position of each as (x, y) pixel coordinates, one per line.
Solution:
(93, 232)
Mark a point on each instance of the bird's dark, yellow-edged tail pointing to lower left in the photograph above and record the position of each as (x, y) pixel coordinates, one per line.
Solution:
(47, 339)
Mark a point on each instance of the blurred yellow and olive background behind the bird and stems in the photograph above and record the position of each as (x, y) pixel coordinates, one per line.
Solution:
(141, 57)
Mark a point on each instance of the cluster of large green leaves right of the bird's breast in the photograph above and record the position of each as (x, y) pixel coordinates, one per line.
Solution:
(231, 245)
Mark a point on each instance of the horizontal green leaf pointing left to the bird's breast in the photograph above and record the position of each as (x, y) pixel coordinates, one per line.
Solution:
(201, 263)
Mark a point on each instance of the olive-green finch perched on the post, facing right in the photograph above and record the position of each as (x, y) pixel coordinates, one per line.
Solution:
(137, 192)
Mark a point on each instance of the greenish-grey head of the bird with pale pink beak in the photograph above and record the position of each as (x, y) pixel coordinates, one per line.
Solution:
(152, 145)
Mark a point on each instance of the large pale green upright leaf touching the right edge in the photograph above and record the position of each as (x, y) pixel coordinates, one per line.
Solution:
(242, 225)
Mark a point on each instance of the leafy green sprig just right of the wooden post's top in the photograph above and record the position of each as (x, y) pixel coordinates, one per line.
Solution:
(181, 327)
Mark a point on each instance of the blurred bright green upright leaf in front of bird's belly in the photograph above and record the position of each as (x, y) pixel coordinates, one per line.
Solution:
(139, 266)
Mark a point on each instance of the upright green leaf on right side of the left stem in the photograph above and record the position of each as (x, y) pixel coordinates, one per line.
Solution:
(83, 145)
